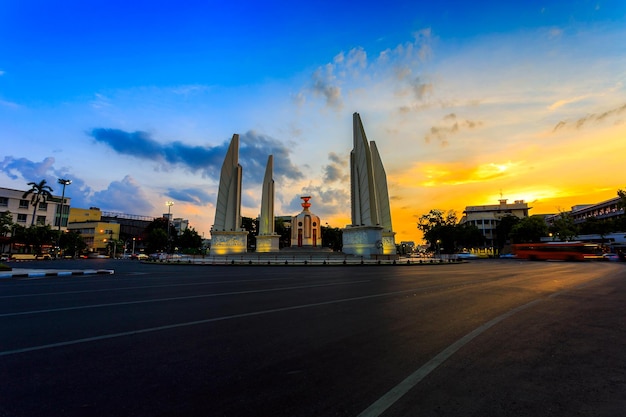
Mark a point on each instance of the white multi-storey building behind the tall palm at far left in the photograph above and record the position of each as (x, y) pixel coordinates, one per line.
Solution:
(52, 212)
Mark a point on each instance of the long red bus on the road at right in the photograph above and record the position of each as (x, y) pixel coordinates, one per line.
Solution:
(559, 251)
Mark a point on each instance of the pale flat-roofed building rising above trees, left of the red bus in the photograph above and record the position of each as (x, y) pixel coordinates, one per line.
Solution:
(486, 218)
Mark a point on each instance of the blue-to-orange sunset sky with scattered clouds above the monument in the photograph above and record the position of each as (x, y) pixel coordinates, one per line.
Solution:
(136, 102)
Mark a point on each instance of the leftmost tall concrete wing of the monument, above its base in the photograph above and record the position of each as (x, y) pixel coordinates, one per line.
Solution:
(228, 205)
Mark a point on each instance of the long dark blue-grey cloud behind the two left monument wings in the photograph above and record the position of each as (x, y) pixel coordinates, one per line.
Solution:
(253, 152)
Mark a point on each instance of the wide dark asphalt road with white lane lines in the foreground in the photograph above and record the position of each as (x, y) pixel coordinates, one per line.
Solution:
(485, 338)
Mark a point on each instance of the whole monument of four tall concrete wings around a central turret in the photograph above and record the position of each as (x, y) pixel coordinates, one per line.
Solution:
(370, 233)
